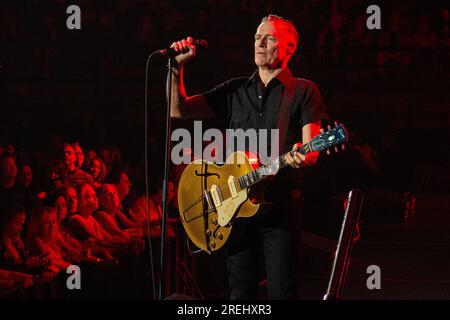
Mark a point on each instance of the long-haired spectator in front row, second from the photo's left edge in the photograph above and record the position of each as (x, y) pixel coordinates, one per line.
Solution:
(41, 238)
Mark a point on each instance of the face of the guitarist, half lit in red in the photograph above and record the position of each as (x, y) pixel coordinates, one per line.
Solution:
(271, 46)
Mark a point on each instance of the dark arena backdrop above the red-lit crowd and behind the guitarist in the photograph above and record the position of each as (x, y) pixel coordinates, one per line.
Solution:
(88, 85)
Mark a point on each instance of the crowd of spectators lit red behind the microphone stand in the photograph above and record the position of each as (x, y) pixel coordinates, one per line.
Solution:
(79, 208)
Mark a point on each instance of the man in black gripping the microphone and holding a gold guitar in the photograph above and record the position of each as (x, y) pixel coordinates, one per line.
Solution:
(271, 98)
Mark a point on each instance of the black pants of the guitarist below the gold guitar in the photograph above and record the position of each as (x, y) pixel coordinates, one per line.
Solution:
(276, 235)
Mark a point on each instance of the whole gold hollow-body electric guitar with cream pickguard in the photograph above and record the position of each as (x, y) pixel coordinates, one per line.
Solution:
(211, 197)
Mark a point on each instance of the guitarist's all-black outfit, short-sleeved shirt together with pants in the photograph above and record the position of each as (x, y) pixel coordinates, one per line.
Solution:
(287, 104)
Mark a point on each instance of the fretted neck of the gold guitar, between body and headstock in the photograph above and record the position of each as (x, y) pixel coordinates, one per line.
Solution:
(271, 168)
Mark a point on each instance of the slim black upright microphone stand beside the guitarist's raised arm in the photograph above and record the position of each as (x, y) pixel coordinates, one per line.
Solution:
(165, 178)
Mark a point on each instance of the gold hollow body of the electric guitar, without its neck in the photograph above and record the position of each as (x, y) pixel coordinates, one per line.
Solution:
(206, 226)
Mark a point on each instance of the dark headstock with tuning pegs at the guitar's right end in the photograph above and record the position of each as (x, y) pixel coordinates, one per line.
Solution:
(332, 138)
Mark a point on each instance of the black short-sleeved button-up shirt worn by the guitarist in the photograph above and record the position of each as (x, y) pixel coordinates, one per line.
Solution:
(244, 103)
